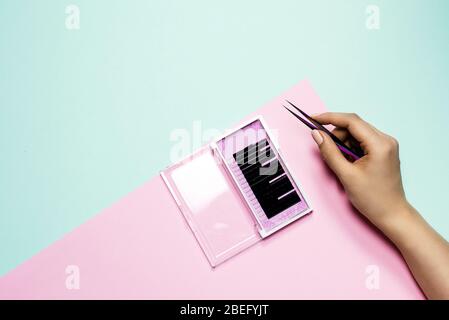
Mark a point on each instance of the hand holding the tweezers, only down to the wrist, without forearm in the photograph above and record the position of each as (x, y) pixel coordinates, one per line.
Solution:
(373, 183)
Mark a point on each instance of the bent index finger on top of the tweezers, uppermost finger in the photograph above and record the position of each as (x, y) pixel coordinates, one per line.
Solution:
(358, 128)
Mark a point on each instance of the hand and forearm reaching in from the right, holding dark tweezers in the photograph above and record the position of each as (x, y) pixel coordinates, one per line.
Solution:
(374, 186)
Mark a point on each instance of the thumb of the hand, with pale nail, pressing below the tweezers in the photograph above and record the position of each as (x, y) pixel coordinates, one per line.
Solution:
(330, 152)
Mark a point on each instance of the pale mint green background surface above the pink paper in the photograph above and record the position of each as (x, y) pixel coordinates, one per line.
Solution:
(85, 116)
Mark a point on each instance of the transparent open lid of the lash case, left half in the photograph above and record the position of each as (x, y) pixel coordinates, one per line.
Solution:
(212, 205)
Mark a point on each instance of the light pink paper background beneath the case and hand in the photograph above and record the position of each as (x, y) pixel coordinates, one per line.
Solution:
(141, 247)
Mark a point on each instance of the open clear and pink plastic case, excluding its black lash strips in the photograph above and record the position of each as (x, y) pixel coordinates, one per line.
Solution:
(208, 188)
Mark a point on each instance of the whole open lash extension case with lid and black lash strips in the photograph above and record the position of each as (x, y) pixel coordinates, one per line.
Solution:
(235, 191)
